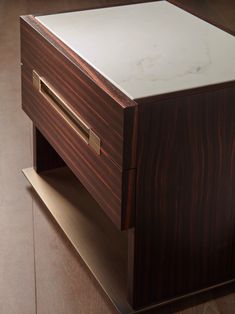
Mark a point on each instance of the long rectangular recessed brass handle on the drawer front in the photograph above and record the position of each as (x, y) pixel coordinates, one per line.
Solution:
(83, 130)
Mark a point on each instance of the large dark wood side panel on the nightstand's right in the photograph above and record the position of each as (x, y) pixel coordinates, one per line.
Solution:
(185, 213)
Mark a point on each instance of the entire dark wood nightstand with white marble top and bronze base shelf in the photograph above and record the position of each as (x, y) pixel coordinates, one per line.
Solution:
(138, 102)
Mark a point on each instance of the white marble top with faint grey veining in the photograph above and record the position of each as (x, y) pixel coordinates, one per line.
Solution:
(148, 49)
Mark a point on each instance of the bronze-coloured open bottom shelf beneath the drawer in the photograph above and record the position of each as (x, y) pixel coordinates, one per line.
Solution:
(100, 244)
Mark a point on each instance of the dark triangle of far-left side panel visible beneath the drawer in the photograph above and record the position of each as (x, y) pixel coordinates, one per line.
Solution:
(44, 155)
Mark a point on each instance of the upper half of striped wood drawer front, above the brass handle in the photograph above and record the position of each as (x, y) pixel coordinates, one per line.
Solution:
(102, 112)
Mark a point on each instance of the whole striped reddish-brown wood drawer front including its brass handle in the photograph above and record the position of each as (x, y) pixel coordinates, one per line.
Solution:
(90, 129)
